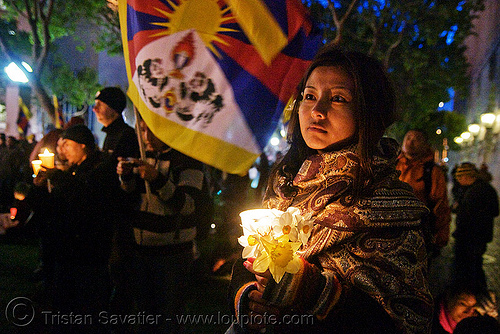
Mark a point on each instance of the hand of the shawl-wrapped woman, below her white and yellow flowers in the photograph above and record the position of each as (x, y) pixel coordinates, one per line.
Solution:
(257, 305)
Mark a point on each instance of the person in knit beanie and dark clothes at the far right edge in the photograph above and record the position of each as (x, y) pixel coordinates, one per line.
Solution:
(477, 207)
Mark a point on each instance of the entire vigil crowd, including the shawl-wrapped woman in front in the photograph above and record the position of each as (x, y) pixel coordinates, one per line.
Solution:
(119, 224)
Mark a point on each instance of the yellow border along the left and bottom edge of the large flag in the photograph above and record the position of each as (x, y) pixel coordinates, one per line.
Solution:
(208, 149)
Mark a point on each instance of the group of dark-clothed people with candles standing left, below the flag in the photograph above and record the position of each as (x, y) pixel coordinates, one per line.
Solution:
(118, 232)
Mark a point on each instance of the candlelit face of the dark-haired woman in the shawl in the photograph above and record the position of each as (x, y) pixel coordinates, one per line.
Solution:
(326, 113)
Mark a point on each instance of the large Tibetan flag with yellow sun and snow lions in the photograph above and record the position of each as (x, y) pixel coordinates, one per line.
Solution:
(211, 78)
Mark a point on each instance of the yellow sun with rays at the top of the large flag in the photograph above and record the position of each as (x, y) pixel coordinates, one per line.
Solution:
(205, 16)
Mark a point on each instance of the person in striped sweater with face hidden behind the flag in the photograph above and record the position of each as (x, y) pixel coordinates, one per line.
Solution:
(165, 223)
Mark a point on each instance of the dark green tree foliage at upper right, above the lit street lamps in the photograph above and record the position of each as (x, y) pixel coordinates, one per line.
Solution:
(412, 39)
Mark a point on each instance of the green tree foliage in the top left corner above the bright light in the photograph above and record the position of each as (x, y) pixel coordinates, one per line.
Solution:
(45, 22)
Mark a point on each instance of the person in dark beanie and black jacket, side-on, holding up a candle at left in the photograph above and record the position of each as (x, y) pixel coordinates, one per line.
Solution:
(80, 205)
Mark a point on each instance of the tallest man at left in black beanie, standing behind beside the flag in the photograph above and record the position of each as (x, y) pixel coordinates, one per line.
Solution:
(120, 141)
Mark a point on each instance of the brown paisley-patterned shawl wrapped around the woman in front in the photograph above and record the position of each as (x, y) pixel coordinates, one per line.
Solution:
(374, 244)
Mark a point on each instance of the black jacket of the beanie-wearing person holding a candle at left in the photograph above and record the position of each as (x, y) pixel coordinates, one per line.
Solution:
(80, 210)
